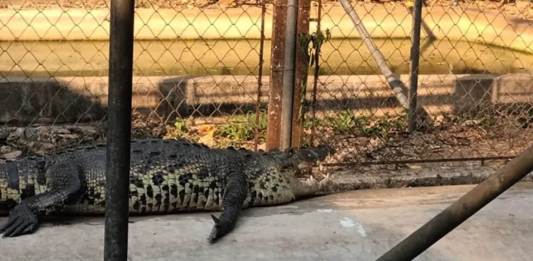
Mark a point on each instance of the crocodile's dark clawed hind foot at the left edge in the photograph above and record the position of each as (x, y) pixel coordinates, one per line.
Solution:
(21, 221)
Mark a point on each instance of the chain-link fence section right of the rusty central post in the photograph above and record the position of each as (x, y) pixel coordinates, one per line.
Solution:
(475, 81)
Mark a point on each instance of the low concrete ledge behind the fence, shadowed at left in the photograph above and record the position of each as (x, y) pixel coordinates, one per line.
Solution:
(74, 99)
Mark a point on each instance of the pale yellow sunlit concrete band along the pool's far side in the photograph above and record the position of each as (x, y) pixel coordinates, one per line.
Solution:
(243, 23)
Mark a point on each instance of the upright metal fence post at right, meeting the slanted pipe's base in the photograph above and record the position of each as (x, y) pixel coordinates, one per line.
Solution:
(415, 59)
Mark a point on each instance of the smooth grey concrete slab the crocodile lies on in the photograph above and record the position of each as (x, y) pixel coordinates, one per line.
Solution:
(357, 225)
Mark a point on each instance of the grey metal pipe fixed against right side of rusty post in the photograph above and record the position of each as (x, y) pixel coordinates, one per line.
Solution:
(288, 74)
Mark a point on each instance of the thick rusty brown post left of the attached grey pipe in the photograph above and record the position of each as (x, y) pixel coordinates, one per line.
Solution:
(276, 74)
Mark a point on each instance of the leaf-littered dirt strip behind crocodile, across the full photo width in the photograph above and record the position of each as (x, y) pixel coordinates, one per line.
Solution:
(453, 140)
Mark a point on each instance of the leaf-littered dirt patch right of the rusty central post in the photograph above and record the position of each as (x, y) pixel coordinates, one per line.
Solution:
(452, 141)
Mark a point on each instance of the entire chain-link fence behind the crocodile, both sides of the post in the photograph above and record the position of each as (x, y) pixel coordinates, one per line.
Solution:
(199, 74)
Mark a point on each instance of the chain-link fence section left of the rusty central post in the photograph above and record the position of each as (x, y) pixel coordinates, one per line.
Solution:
(197, 66)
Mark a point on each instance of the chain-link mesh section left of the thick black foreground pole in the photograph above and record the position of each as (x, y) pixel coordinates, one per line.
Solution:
(51, 84)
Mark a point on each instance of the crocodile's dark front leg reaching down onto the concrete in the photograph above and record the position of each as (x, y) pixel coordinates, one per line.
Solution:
(234, 196)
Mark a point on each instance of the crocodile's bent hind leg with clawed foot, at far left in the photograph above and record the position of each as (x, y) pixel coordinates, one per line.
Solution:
(63, 186)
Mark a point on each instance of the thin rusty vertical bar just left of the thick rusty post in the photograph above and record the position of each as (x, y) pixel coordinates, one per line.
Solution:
(260, 75)
